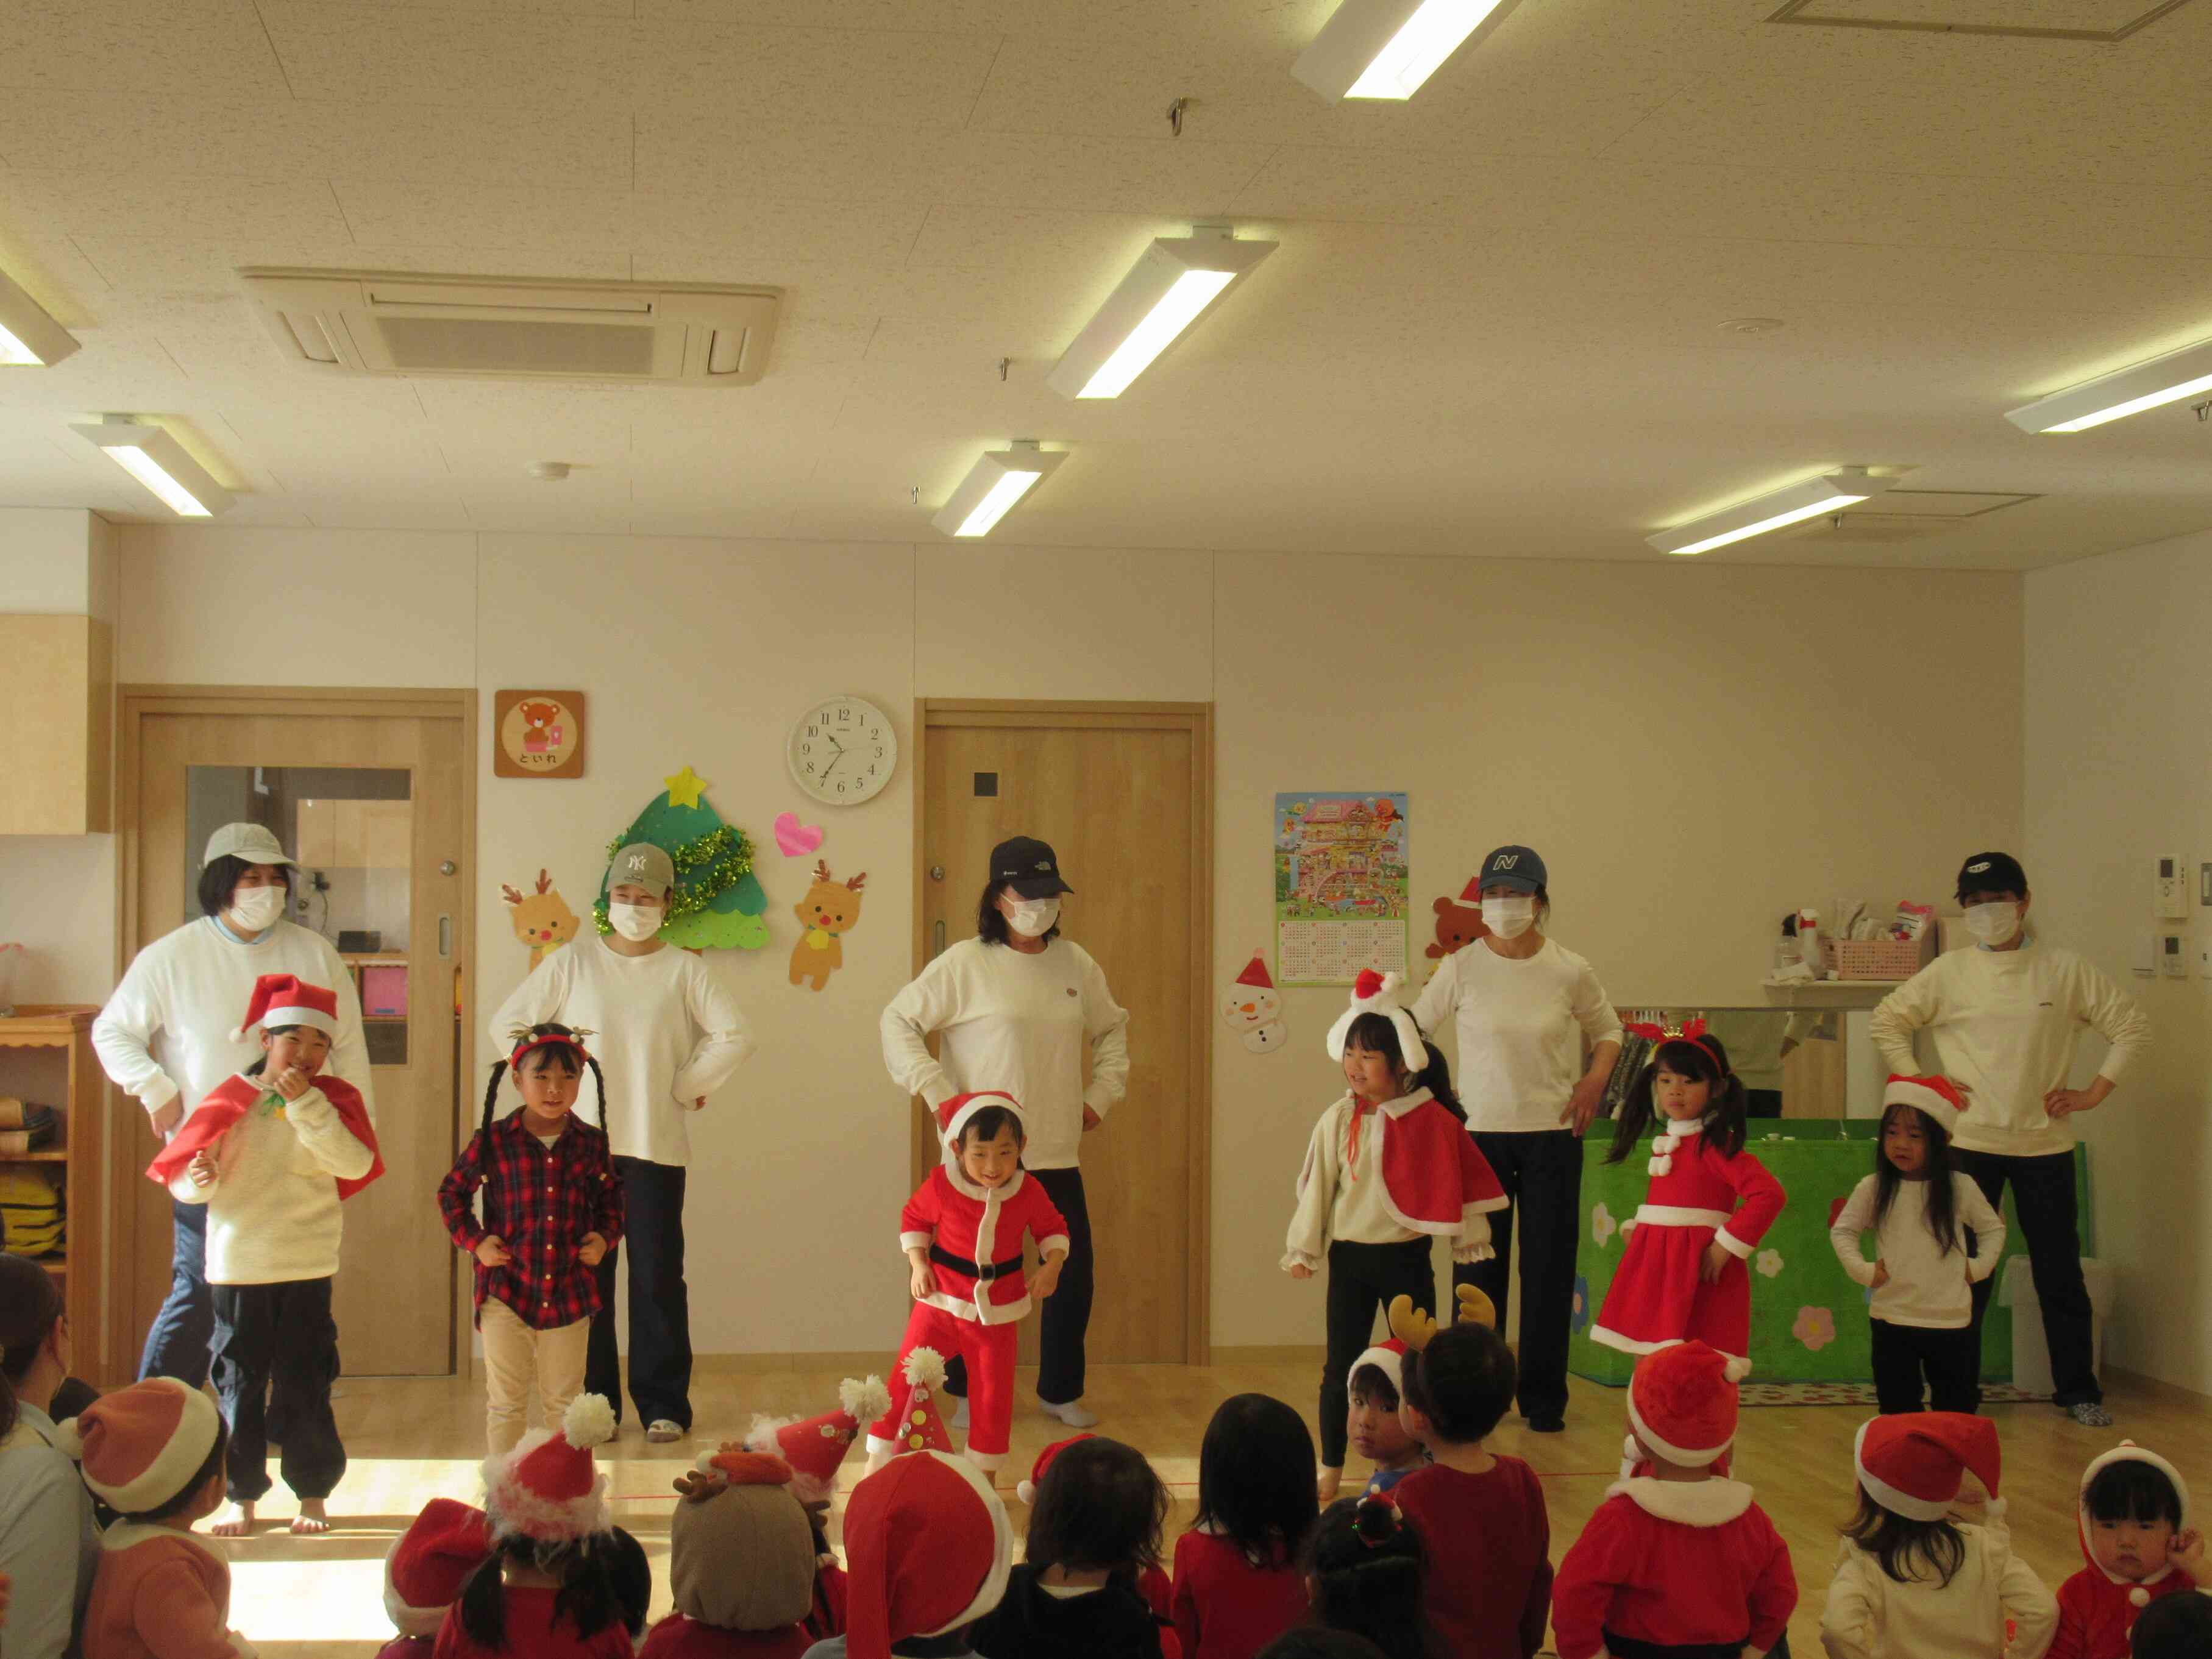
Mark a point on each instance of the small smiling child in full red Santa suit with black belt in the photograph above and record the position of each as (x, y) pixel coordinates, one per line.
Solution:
(963, 1238)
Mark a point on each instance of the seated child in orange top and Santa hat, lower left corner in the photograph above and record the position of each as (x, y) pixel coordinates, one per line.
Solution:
(156, 1454)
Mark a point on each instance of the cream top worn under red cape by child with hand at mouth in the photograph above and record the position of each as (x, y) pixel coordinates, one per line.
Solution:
(273, 1207)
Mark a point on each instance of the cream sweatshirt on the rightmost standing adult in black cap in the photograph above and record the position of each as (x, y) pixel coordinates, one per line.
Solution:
(2007, 1025)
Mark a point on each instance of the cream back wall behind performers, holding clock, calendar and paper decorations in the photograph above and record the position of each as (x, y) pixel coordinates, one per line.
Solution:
(1658, 733)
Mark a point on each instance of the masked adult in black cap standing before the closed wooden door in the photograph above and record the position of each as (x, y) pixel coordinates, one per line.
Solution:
(1019, 1010)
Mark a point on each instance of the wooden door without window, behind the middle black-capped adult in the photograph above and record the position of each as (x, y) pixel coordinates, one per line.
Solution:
(1125, 800)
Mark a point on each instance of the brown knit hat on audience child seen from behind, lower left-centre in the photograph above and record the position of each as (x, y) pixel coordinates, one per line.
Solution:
(744, 1558)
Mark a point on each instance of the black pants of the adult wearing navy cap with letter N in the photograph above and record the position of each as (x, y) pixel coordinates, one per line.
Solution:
(1543, 1178)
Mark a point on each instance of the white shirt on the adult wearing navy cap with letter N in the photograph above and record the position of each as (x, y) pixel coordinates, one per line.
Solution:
(1523, 1025)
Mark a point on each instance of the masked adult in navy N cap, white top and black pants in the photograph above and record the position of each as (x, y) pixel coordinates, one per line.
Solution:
(1525, 1010)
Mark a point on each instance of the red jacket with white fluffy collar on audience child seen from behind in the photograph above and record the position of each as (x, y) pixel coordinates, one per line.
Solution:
(1676, 1565)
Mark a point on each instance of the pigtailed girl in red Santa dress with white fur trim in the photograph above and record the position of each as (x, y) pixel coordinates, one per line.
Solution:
(1684, 1273)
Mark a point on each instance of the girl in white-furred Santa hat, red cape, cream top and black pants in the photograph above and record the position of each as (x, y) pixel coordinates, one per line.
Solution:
(1388, 1171)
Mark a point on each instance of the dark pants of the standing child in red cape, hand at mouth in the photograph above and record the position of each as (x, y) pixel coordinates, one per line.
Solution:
(275, 1359)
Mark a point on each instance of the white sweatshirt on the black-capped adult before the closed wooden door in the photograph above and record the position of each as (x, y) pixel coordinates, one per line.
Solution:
(1019, 1023)
